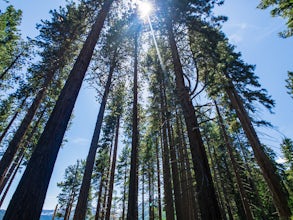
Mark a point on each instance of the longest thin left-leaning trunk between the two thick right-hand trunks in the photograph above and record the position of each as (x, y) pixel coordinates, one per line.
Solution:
(235, 166)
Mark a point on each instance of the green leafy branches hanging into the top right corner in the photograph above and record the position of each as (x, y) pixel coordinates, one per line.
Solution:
(282, 8)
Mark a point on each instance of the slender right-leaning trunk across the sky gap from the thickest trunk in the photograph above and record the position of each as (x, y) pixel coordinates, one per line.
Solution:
(80, 210)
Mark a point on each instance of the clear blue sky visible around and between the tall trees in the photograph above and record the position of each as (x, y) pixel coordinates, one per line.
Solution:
(254, 33)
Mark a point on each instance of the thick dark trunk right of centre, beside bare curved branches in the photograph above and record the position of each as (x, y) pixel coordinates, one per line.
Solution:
(206, 195)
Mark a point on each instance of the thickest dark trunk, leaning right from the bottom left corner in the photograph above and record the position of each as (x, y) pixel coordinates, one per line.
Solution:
(29, 196)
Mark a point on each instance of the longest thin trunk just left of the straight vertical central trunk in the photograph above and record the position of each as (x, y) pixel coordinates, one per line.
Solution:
(113, 167)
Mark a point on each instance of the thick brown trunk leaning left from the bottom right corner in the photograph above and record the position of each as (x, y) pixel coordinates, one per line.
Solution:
(279, 192)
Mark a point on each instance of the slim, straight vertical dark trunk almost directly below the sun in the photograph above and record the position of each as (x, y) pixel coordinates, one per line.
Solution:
(132, 211)
